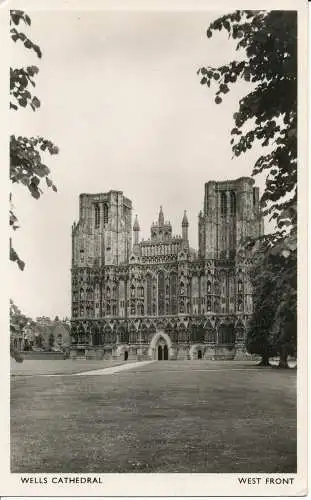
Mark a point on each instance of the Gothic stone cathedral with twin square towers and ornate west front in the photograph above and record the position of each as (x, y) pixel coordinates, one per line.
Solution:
(159, 298)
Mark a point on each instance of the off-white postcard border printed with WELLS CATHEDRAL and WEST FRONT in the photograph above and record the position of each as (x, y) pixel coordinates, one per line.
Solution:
(165, 484)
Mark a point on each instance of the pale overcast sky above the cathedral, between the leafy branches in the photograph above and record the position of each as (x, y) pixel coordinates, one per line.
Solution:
(122, 100)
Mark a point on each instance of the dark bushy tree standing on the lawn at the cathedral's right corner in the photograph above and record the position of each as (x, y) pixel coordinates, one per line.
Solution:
(273, 326)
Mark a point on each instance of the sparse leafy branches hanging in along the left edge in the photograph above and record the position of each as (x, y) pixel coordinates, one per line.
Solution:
(26, 153)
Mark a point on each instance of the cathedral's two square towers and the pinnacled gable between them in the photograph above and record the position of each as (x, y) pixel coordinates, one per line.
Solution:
(103, 234)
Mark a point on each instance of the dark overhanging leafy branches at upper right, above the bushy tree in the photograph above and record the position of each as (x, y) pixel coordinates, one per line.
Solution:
(267, 114)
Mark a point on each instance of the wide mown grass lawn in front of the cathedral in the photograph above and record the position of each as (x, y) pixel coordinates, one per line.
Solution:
(161, 417)
